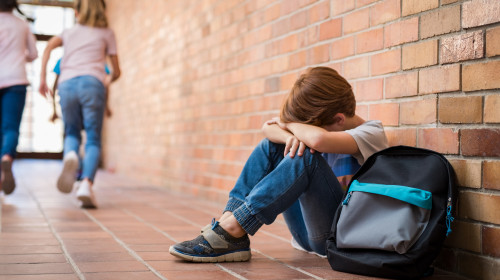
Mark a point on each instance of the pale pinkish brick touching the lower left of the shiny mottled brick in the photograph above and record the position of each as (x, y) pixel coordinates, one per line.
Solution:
(440, 79)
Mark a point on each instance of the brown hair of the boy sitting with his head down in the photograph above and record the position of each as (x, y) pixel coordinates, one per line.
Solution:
(317, 96)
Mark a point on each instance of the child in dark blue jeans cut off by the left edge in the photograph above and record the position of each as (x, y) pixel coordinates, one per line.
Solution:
(17, 46)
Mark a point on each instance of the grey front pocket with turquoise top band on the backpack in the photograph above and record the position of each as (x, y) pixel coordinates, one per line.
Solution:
(384, 217)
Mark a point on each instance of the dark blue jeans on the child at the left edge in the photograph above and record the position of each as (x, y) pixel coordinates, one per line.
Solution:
(12, 99)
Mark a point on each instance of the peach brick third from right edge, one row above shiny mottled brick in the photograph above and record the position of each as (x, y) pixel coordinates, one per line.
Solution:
(401, 32)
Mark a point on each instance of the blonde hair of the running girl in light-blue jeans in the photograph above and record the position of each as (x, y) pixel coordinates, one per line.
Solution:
(91, 13)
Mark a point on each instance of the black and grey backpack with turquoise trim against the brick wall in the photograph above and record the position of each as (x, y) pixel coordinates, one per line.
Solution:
(395, 215)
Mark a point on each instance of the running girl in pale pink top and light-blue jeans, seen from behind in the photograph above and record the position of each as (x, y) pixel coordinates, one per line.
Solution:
(82, 90)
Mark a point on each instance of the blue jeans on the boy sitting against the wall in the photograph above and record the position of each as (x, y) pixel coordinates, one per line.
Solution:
(304, 189)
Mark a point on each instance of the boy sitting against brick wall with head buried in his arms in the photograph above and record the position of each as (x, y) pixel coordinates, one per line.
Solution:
(317, 142)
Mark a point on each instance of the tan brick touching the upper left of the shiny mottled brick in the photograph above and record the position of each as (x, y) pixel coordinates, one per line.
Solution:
(441, 21)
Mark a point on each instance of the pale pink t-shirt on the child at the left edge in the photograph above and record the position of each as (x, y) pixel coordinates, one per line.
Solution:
(17, 46)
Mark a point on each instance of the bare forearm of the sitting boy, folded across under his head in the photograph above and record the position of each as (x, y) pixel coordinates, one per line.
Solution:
(321, 140)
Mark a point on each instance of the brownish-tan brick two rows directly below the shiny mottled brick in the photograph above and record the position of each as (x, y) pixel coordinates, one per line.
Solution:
(467, 109)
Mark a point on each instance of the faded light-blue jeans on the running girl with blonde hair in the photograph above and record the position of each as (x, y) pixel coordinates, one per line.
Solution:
(82, 105)
